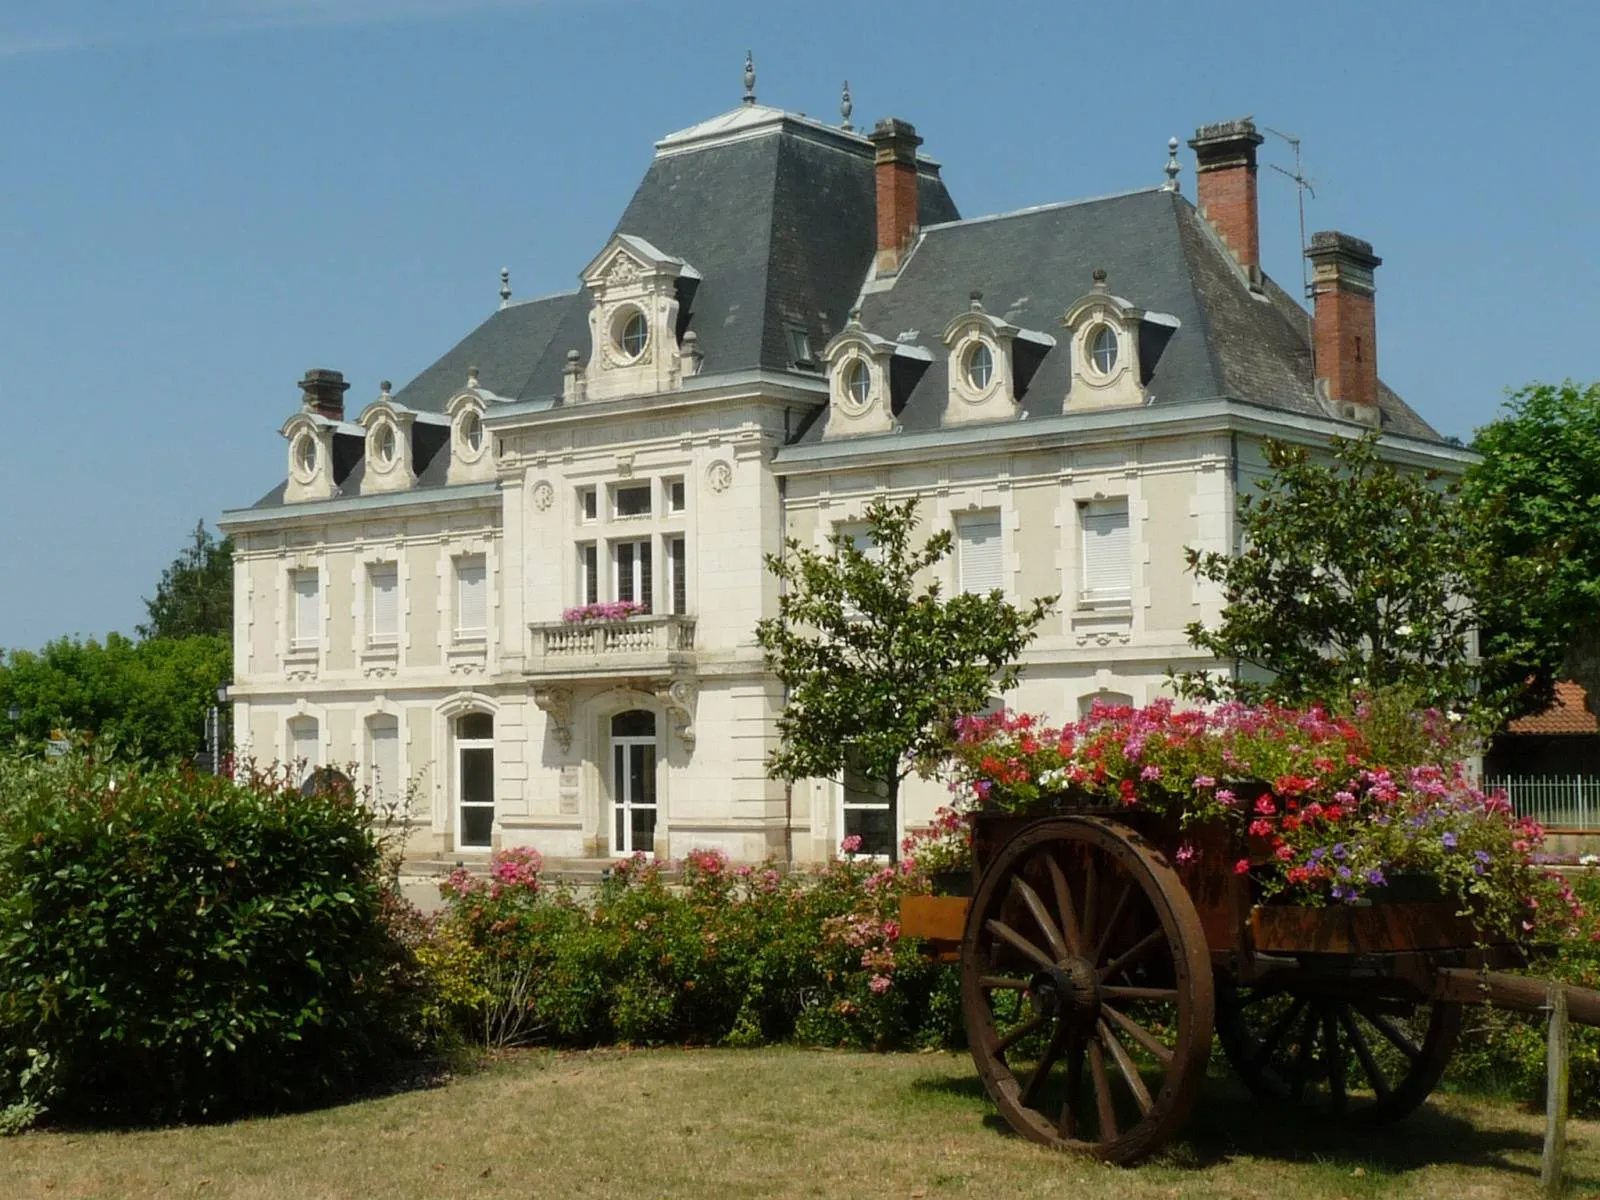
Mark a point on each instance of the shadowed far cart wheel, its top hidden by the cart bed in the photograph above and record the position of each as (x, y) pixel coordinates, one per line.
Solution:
(1354, 1057)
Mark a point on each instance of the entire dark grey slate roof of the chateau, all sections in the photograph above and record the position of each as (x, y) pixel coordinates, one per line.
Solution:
(777, 214)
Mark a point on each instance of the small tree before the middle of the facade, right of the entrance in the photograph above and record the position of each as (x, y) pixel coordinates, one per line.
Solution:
(876, 666)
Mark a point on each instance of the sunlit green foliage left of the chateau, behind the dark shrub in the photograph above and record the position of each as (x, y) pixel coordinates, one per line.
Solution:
(138, 700)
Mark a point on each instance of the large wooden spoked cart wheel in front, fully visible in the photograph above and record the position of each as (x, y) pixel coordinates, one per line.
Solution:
(1087, 990)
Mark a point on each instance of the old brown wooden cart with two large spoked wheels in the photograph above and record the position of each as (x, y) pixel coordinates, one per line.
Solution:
(1097, 964)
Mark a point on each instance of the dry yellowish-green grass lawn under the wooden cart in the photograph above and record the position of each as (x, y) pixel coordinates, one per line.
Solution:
(724, 1126)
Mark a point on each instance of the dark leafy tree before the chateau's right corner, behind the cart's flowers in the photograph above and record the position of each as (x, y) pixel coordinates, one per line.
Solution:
(1354, 577)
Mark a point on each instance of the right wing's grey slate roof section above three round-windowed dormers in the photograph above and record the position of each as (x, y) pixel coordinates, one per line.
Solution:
(1159, 255)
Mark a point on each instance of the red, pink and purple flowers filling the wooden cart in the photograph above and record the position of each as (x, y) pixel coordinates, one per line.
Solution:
(1334, 810)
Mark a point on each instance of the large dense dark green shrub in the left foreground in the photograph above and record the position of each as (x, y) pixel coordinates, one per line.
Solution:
(185, 946)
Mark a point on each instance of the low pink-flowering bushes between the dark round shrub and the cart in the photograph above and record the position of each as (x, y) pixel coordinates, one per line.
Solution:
(726, 958)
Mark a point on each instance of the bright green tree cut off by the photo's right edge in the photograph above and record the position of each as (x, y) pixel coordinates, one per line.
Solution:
(1535, 502)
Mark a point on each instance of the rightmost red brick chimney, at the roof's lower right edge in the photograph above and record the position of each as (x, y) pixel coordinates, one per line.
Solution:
(1345, 326)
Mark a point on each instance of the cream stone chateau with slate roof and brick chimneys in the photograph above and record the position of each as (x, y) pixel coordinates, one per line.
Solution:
(790, 319)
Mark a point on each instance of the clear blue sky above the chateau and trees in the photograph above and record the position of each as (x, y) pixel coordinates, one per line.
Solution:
(206, 198)
